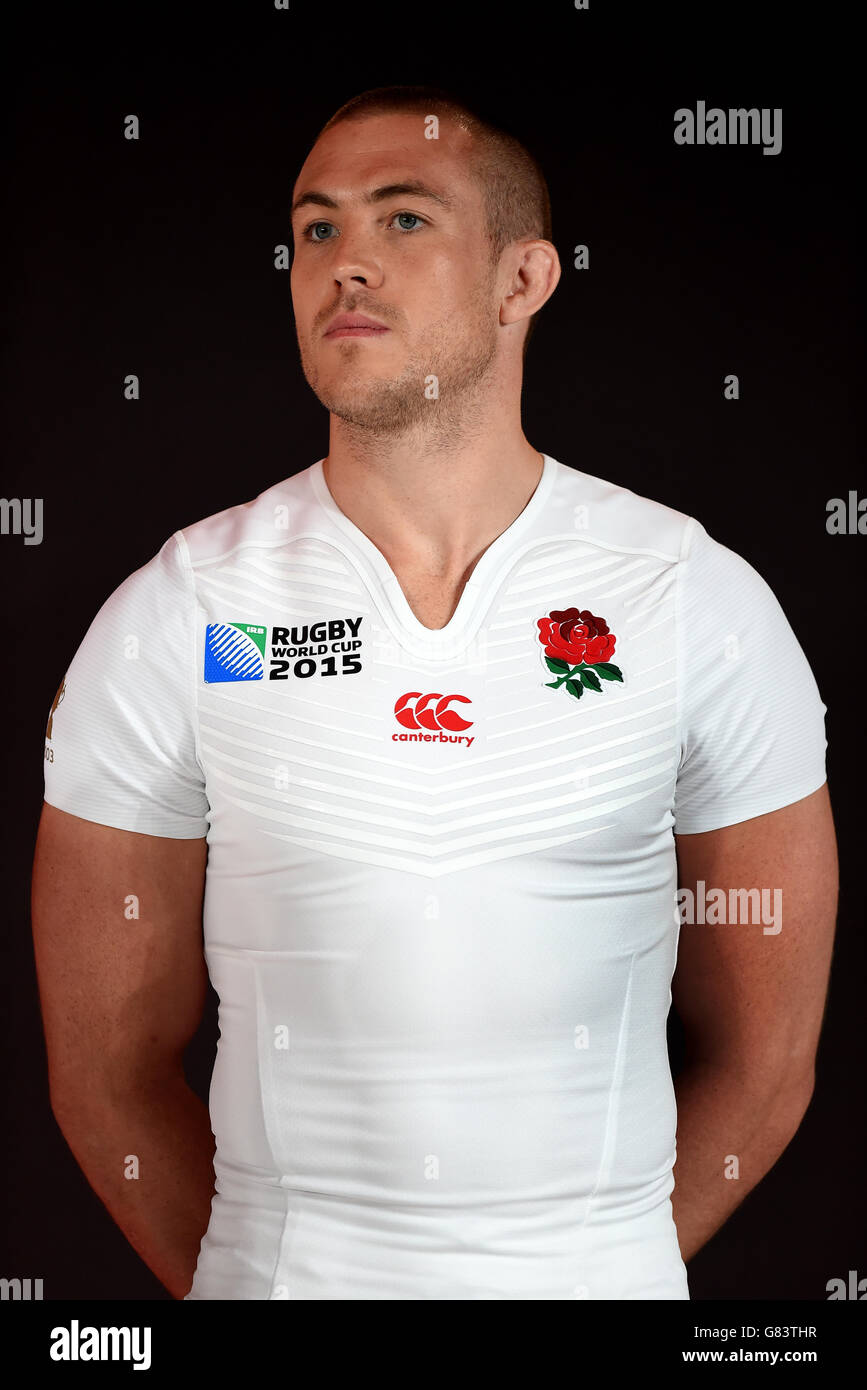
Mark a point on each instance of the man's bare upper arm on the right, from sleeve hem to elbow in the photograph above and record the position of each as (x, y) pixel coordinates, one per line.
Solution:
(747, 996)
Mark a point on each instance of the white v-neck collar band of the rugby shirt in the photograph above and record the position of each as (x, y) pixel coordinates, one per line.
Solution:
(415, 636)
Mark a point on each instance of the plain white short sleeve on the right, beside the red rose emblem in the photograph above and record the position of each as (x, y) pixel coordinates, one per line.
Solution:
(751, 717)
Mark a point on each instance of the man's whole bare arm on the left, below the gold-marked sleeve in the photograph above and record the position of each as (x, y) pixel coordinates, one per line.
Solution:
(117, 935)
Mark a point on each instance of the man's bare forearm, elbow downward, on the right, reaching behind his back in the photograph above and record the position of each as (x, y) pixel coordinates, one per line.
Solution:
(732, 1131)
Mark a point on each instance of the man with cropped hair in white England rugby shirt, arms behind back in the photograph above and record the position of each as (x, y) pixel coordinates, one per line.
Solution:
(429, 726)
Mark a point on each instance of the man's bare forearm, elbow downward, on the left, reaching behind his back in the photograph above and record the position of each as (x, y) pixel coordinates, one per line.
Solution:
(149, 1159)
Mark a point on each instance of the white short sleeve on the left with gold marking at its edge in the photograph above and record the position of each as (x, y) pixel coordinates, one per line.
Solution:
(122, 733)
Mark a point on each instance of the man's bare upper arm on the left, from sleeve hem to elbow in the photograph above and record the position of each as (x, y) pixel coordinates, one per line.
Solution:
(117, 936)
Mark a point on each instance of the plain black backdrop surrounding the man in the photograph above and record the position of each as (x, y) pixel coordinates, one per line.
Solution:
(158, 258)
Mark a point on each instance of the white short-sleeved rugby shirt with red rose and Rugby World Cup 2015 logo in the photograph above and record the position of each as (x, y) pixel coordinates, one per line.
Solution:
(440, 903)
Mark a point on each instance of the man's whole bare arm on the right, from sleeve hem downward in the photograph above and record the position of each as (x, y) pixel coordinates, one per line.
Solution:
(752, 1007)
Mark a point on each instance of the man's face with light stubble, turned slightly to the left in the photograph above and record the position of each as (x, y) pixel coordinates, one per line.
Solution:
(418, 262)
